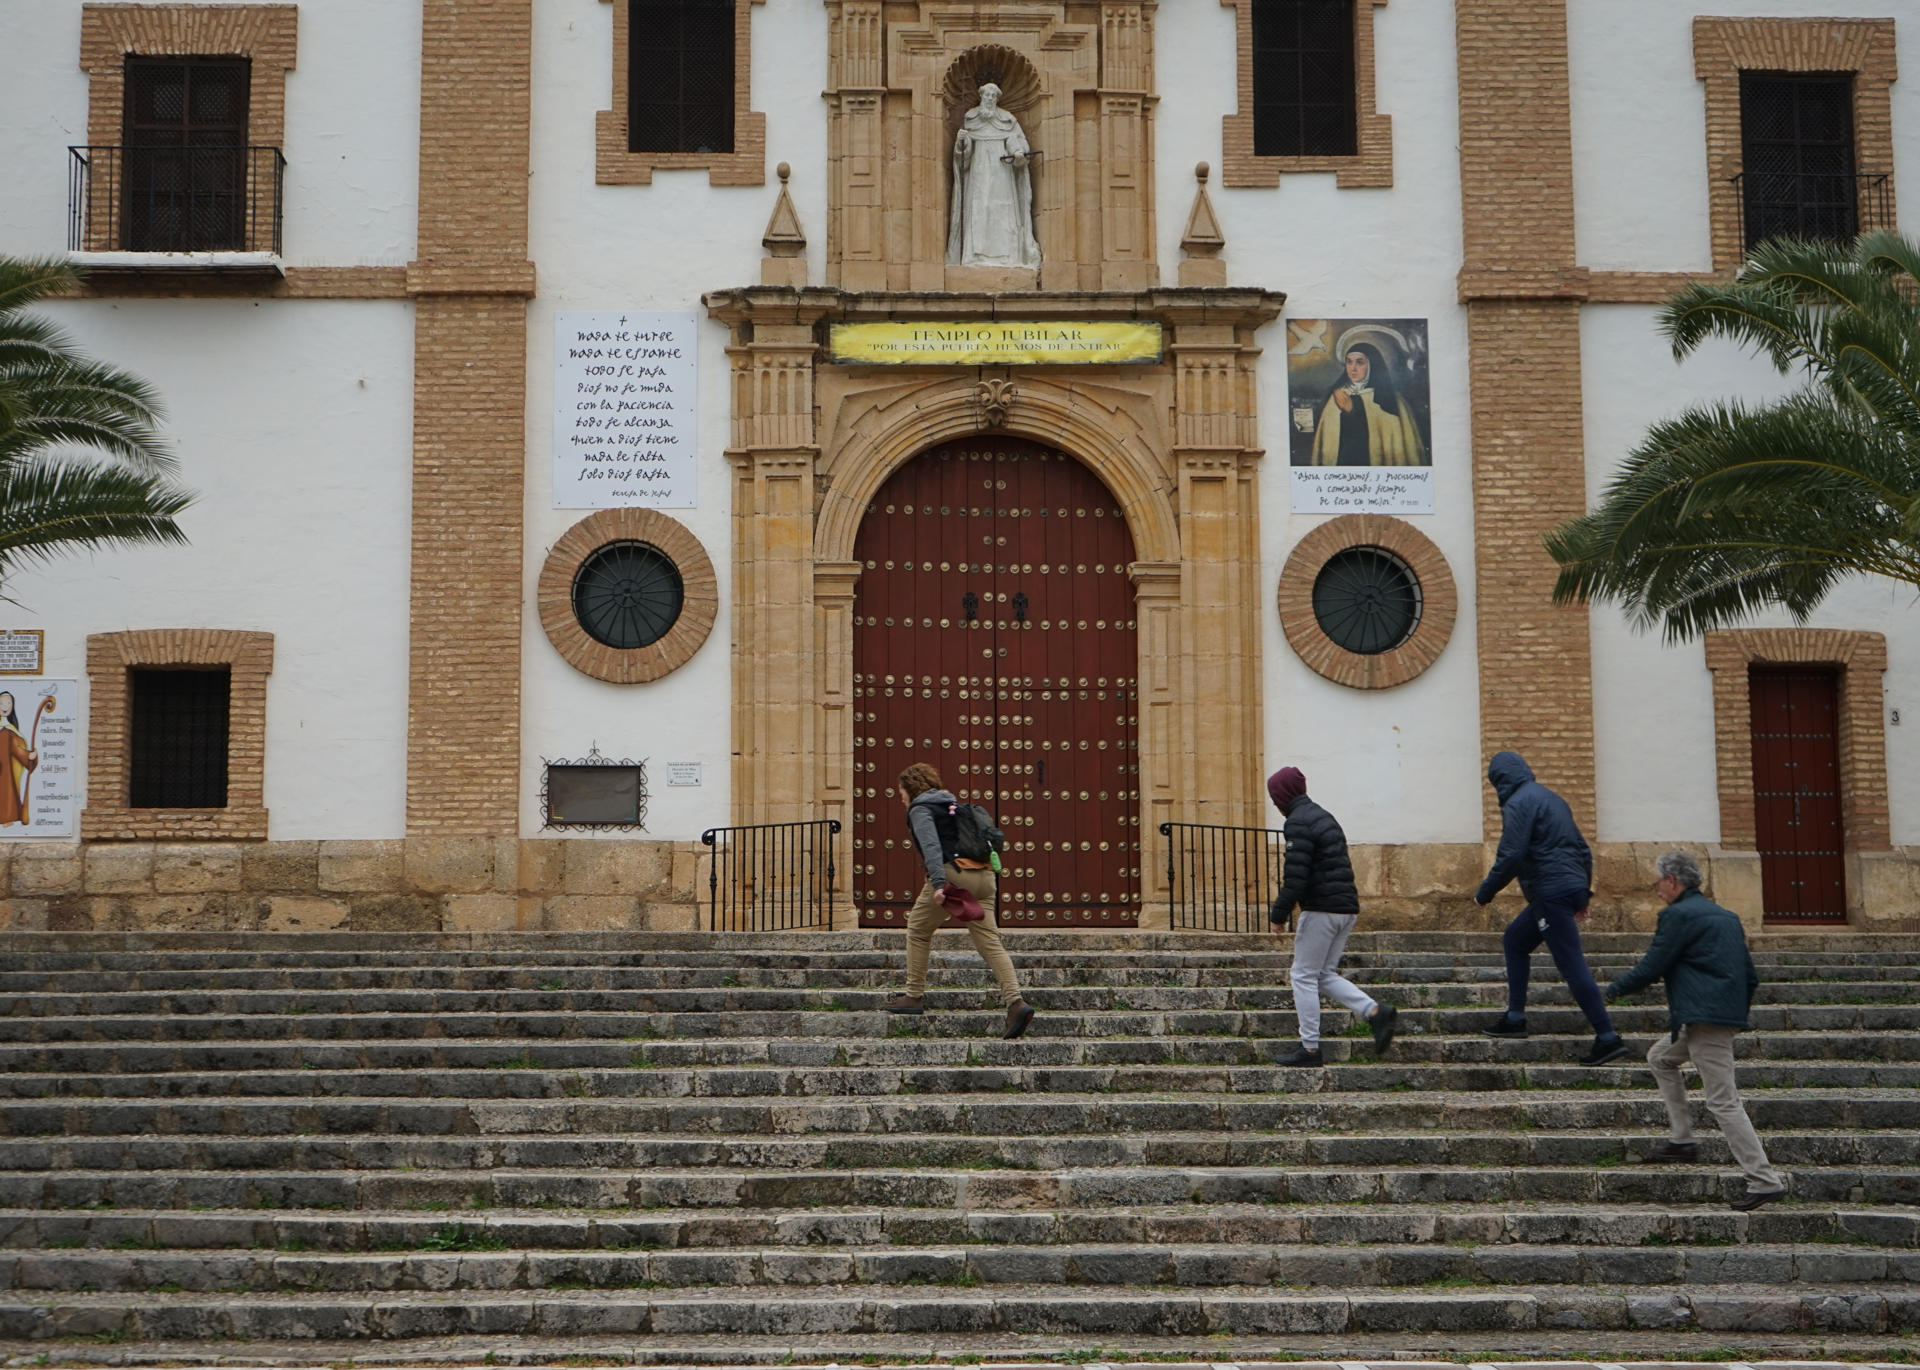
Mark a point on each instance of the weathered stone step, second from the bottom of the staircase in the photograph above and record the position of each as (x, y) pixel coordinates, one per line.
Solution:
(957, 1311)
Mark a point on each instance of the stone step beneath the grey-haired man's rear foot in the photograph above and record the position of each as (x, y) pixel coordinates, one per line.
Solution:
(1524, 1223)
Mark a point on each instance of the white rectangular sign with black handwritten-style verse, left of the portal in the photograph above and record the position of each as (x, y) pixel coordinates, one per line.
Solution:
(623, 410)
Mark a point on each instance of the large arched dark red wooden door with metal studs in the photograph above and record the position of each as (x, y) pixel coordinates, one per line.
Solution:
(996, 638)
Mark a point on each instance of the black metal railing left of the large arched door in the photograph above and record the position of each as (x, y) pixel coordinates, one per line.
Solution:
(771, 878)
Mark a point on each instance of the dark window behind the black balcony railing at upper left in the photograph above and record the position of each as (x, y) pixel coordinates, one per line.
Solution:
(185, 130)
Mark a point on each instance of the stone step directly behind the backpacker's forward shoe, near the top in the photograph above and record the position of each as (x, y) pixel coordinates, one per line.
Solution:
(738, 1001)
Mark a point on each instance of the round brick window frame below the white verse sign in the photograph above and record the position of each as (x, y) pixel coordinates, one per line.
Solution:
(629, 667)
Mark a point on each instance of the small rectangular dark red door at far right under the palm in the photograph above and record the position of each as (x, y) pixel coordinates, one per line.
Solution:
(1796, 793)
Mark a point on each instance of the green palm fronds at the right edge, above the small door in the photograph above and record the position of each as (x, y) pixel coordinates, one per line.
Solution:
(1735, 508)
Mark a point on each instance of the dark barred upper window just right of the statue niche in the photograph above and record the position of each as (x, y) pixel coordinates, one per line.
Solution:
(1305, 80)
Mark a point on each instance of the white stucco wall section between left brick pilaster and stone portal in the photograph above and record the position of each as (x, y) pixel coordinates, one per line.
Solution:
(654, 247)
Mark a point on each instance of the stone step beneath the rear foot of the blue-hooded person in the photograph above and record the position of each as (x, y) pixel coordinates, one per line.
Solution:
(517, 1079)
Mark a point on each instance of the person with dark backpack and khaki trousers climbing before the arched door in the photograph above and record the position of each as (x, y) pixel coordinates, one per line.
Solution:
(961, 891)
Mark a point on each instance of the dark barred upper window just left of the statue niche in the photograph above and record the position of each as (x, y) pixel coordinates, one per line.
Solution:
(681, 76)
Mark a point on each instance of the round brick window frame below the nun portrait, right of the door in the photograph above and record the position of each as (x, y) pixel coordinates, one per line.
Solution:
(1439, 602)
